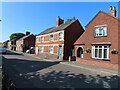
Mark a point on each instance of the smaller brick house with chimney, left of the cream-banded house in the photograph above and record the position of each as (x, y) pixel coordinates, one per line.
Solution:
(25, 42)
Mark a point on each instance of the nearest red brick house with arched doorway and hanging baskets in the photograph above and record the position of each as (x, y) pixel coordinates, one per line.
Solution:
(99, 44)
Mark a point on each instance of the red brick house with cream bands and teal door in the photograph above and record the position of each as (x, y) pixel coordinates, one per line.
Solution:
(58, 42)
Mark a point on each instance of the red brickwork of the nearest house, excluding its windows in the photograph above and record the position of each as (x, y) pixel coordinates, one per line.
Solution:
(111, 22)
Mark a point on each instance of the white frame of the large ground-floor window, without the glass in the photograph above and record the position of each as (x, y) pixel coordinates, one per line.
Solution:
(93, 51)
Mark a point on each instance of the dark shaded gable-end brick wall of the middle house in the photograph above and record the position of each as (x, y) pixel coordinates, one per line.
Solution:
(72, 33)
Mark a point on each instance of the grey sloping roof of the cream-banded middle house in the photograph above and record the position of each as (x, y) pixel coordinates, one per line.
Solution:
(57, 28)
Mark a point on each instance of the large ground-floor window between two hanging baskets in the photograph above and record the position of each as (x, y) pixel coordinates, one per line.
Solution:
(100, 52)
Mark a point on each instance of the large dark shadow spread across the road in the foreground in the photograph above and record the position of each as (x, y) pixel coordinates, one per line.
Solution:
(58, 79)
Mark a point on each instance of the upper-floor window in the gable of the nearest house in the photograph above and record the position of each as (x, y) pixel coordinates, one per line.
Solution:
(100, 31)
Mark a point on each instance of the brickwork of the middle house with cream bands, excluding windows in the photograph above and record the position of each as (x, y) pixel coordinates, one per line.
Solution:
(70, 35)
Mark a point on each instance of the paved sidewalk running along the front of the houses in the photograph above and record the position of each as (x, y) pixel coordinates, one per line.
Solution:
(76, 64)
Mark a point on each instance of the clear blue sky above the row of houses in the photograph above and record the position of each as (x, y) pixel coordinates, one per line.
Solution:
(38, 16)
